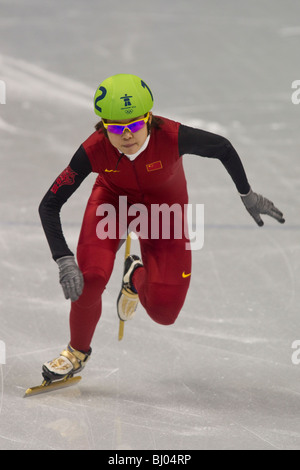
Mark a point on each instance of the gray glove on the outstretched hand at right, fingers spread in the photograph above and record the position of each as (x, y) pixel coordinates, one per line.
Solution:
(257, 204)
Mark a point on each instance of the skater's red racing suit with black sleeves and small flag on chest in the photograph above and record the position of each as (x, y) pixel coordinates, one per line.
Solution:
(156, 176)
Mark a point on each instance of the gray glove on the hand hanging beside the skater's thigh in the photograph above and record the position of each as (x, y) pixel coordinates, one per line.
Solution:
(70, 277)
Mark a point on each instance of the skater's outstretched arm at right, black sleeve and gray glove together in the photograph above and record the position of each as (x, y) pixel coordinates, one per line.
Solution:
(207, 144)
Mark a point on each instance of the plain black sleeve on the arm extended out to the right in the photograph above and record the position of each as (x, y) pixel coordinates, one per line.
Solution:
(207, 144)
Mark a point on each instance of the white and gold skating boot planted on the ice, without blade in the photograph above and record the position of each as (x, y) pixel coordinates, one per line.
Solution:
(69, 362)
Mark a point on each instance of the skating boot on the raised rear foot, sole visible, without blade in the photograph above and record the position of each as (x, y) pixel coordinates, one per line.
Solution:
(128, 298)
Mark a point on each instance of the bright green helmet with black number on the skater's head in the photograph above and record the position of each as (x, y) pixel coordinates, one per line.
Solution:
(122, 96)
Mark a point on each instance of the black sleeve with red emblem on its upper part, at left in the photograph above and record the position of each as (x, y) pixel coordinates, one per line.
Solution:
(60, 191)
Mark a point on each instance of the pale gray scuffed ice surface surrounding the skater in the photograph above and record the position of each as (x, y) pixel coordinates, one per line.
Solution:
(222, 377)
